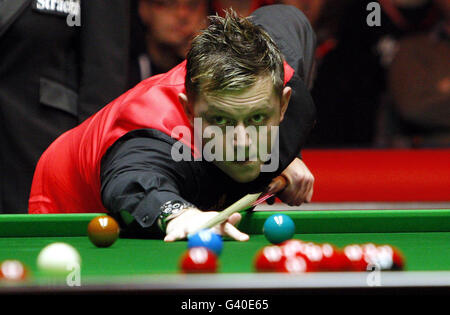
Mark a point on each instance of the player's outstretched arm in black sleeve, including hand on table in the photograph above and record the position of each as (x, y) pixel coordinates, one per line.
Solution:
(139, 177)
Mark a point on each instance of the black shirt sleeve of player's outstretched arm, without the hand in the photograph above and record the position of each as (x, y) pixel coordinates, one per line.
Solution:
(138, 176)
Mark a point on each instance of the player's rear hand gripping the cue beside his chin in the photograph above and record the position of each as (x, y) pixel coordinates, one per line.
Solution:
(300, 184)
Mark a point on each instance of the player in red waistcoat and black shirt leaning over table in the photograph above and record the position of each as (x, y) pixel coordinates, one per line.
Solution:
(121, 161)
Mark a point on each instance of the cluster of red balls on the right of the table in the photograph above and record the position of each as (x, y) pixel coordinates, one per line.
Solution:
(296, 256)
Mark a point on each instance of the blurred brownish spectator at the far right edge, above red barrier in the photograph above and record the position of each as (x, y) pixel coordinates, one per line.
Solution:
(417, 112)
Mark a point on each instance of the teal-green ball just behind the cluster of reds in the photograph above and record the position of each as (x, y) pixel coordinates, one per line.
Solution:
(278, 228)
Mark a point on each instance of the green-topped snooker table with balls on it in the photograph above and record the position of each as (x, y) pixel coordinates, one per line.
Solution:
(151, 266)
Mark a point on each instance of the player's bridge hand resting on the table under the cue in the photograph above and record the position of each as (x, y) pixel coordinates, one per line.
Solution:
(180, 227)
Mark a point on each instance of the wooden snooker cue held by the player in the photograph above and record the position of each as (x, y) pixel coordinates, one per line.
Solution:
(242, 204)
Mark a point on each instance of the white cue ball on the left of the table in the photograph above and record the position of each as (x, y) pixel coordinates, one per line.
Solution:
(58, 258)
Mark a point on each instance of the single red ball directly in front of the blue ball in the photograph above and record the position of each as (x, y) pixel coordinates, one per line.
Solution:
(198, 260)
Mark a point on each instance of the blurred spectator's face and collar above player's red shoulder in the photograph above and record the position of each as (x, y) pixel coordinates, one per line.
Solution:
(170, 26)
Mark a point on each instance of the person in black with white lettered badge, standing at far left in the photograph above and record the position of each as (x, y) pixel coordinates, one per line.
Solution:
(58, 65)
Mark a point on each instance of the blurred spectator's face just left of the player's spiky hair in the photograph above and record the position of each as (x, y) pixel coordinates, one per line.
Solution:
(173, 22)
